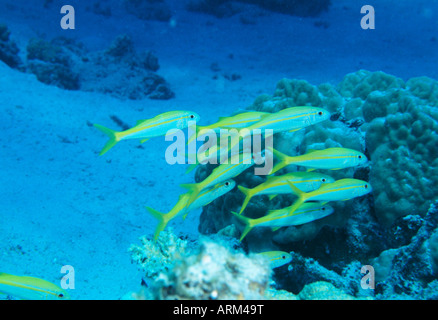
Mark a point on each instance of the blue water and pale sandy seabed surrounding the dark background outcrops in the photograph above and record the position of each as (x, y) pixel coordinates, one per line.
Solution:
(62, 204)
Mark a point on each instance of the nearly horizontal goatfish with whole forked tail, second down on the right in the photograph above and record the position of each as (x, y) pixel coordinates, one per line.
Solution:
(331, 158)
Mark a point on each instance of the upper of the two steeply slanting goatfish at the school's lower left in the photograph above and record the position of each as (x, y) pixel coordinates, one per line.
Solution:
(235, 166)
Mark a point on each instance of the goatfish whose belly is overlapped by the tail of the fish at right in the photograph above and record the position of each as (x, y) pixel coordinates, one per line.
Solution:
(274, 185)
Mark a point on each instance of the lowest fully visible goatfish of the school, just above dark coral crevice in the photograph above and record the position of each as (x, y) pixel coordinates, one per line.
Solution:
(275, 219)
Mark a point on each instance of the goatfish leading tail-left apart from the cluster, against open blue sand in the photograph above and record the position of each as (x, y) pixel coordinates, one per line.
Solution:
(149, 128)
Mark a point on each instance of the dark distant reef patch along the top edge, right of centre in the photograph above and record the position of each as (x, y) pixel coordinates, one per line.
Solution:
(226, 8)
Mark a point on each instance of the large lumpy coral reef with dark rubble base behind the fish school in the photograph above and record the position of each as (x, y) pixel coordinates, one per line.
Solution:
(395, 124)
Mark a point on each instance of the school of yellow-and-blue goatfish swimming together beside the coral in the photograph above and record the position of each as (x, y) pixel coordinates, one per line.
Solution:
(312, 190)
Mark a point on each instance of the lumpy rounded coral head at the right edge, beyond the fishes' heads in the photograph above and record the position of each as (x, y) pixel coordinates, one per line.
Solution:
(402, 138)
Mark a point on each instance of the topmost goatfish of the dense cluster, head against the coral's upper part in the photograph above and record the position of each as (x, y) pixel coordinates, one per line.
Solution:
(290, 119)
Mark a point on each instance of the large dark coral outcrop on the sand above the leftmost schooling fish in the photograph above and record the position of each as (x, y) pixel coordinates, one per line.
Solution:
(68, 65)
